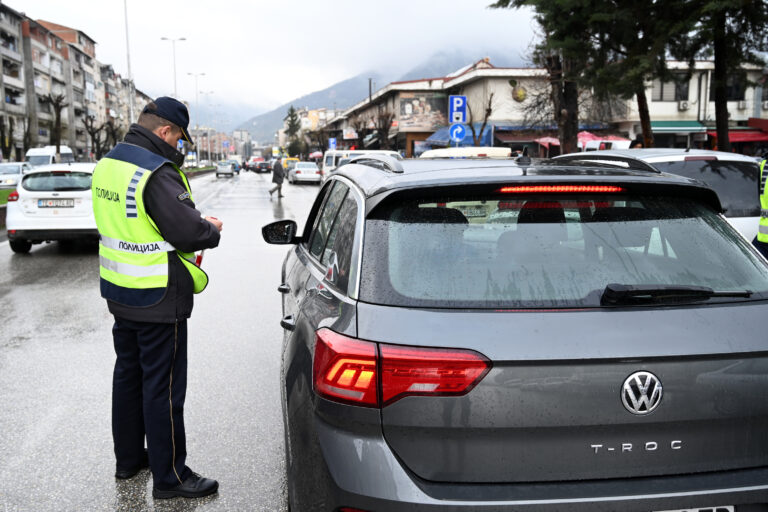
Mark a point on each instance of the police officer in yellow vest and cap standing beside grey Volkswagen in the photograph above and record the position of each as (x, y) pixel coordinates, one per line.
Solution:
(149, 229)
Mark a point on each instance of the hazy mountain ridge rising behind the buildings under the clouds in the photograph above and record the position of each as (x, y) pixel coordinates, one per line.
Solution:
(351, 91)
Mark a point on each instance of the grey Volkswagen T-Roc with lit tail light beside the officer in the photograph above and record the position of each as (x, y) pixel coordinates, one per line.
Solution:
(559, 370)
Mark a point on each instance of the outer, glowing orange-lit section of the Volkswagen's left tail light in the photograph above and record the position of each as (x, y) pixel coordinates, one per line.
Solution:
(345, 369)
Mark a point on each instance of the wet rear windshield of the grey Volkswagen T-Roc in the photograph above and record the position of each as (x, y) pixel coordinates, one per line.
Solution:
(548, 251)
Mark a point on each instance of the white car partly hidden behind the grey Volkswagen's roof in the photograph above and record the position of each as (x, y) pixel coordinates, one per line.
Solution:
(734, 177)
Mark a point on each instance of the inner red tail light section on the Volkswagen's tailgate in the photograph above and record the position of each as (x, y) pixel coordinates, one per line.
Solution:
(429, 371)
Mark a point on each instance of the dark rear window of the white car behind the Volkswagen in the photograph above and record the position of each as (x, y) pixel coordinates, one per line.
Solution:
(736, 183)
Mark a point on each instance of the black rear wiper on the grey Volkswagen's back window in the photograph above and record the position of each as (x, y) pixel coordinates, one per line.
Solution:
(615, 293)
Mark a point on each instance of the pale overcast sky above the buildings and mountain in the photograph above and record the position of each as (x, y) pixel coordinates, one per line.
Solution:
(259, 54)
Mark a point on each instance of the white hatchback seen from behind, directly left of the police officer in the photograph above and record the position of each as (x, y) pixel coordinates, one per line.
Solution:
(52, 202)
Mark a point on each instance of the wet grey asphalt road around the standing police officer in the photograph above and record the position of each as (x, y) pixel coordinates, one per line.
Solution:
(56, 361)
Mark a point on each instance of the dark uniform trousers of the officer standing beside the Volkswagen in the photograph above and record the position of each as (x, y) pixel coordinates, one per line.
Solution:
(148, 391)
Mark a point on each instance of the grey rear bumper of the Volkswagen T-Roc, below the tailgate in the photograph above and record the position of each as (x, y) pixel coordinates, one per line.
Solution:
(365, 474)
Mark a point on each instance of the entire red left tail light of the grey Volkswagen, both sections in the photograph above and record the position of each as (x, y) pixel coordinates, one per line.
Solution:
(368, 374)
